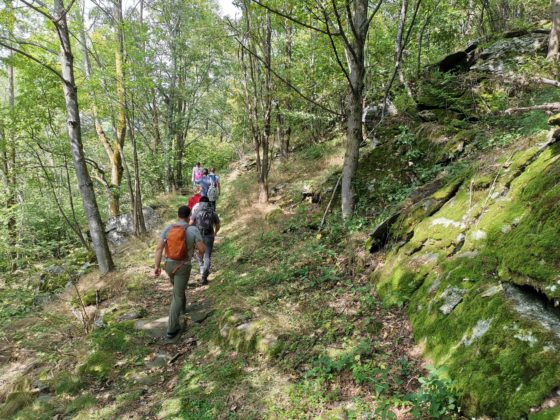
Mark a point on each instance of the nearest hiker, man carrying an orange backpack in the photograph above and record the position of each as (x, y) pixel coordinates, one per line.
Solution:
(180, 241)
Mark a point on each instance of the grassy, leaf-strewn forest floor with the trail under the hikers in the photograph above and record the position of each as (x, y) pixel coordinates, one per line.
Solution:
(289, 326)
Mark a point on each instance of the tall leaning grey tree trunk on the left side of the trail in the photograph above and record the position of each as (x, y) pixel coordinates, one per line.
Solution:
(85, 184)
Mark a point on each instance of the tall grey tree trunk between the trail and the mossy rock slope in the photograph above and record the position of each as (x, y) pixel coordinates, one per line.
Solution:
(356, 66)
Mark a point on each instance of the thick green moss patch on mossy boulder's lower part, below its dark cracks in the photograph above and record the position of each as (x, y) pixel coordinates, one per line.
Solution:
(495, 364)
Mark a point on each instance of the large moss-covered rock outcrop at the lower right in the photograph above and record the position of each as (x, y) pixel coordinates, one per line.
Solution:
(477, 262)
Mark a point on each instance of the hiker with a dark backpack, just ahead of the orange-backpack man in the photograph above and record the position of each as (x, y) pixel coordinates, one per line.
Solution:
(208, 223)
